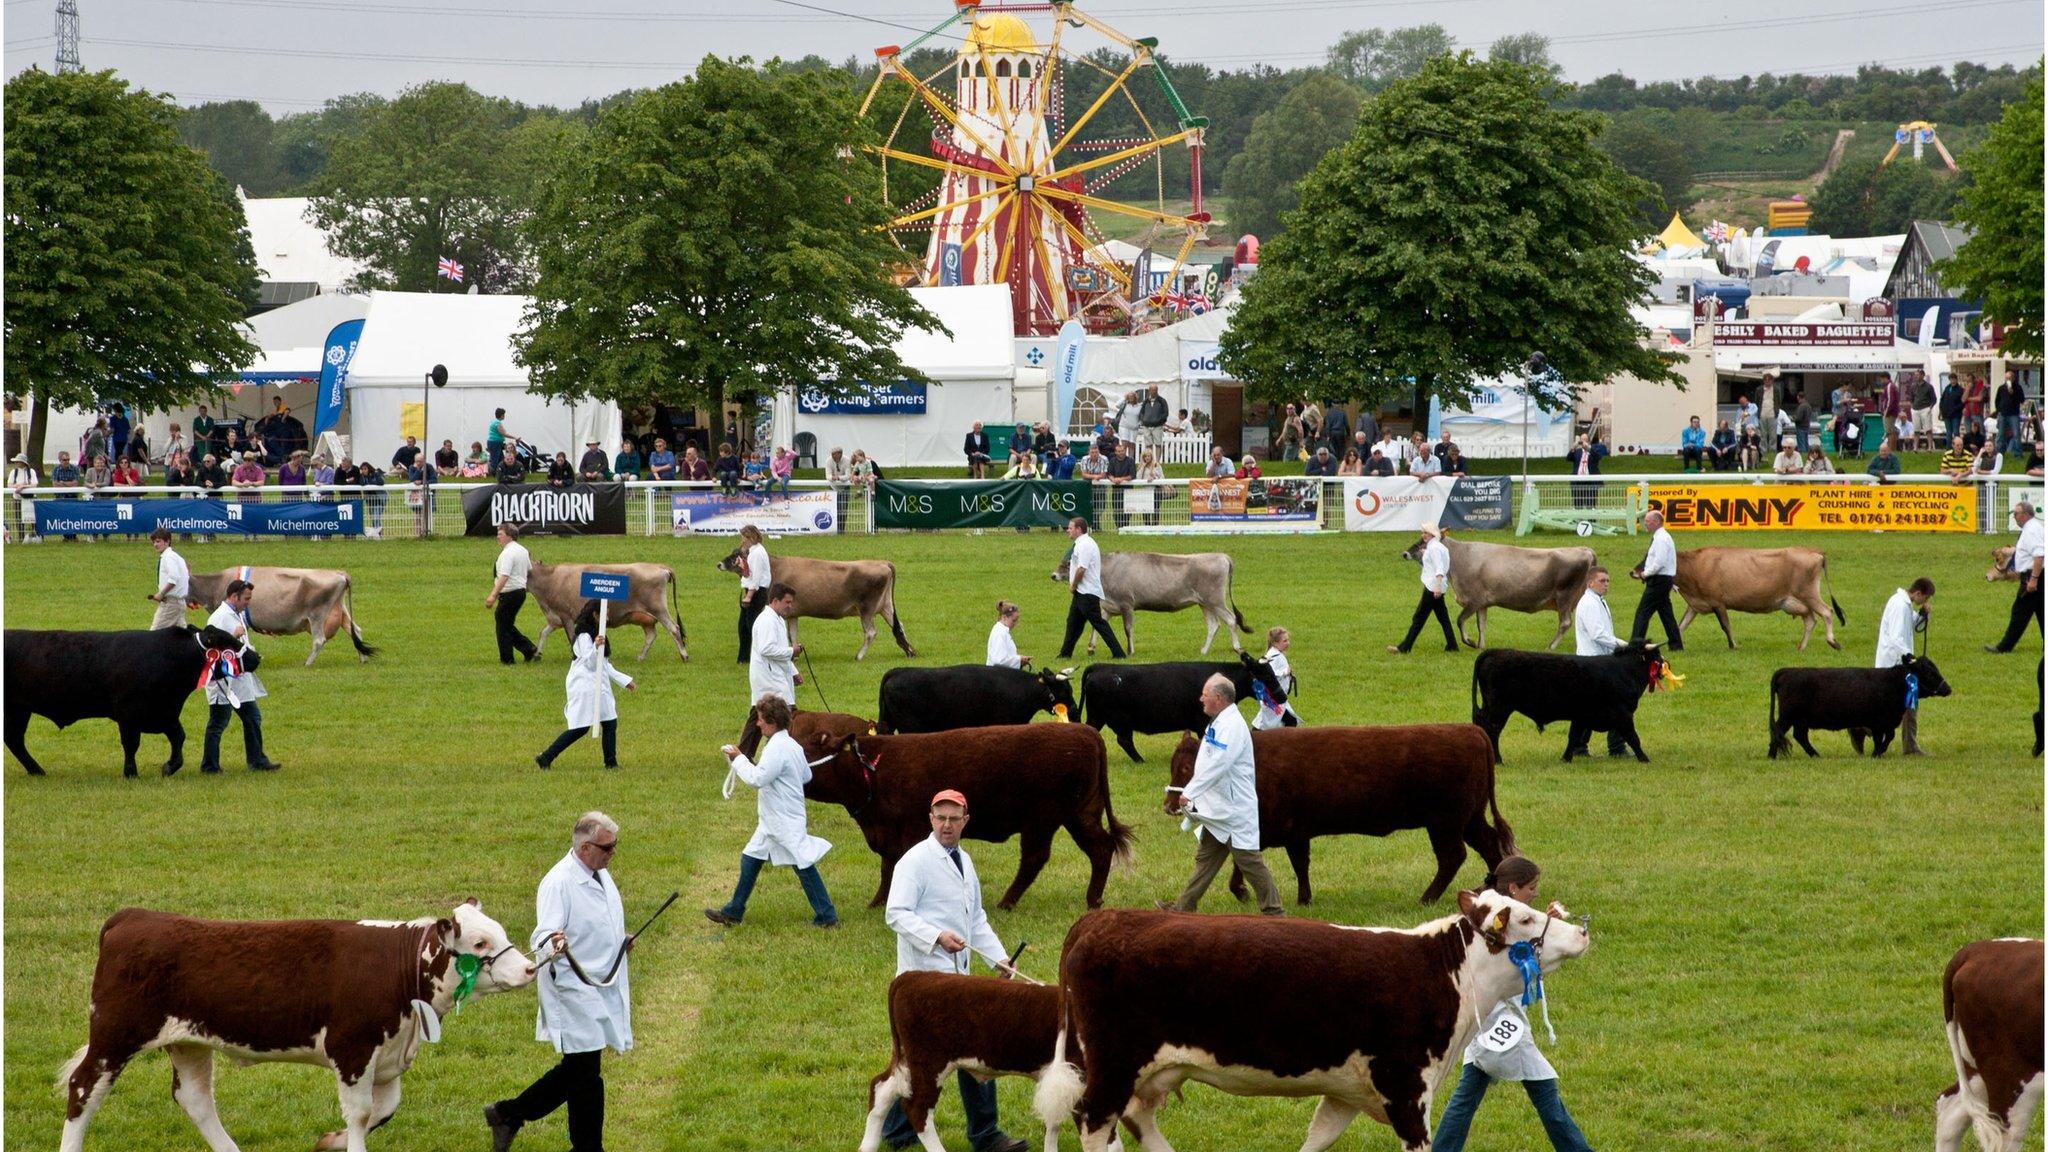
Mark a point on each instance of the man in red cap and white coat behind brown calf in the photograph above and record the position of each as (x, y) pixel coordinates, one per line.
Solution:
(935, 909)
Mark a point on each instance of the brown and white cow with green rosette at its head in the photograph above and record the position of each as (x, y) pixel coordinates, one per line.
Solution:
(343, 995)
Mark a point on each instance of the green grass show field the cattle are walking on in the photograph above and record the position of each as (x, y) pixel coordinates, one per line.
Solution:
(1768, 934)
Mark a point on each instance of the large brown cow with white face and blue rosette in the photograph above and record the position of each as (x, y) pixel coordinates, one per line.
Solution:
(1371, 1020)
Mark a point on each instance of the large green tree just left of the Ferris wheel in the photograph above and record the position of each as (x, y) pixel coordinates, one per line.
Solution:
(718, 239)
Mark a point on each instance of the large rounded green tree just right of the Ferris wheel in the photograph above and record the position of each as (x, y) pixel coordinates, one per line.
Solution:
(1465, 227)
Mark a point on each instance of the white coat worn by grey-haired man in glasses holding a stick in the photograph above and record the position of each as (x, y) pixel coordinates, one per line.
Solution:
(587, 909)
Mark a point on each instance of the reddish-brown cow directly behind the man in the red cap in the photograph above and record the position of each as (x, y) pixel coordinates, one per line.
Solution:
(1021, 780)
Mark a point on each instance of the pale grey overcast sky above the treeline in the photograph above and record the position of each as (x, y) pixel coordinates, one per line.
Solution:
(296, 54)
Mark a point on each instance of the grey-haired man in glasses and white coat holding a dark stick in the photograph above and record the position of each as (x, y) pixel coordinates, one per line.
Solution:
(579, 909)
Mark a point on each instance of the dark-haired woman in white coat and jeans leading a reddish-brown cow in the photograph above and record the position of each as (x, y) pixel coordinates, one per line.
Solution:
(783, 833)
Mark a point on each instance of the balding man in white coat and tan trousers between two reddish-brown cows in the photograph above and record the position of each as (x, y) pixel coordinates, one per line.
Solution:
(1224, 800)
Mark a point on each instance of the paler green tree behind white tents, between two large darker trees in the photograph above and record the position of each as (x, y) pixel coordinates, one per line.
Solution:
(425, 177)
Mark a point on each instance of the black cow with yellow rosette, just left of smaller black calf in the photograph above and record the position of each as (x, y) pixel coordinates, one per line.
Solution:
(1592, 694)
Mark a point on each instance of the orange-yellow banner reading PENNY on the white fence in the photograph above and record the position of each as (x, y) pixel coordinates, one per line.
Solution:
(1844, 507)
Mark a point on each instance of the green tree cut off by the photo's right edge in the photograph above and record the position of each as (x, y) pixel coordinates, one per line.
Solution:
(2002, 263)
